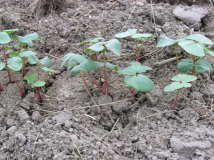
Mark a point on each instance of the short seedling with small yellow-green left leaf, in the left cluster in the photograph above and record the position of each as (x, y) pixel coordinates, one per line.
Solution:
(32, 78)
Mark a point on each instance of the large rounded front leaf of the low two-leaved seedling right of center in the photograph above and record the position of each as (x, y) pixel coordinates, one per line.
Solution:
(140, 82)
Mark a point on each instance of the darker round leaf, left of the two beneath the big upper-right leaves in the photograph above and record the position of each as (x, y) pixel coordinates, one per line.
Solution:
(185, 65)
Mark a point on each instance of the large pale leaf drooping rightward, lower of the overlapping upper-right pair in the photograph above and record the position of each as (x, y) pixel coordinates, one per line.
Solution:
(194, 48)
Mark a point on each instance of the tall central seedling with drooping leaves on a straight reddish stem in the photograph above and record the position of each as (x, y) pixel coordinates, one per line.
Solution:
(114, 46)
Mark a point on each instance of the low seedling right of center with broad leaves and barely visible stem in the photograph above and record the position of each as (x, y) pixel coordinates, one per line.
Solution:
(136, 79)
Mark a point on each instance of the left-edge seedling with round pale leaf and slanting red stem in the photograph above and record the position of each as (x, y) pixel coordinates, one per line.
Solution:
(14, 63)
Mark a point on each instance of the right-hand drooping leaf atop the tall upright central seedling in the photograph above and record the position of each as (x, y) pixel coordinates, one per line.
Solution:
(115, 46)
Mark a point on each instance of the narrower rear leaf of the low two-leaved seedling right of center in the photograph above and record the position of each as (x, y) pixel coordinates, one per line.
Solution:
(135, 68)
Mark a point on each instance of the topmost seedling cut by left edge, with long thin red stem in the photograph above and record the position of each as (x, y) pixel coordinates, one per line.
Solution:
(4, 39)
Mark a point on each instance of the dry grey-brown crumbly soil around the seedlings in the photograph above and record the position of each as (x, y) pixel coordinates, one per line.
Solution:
(69, 123)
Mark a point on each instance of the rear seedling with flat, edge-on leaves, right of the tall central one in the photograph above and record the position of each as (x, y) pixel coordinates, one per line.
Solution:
(133, 33)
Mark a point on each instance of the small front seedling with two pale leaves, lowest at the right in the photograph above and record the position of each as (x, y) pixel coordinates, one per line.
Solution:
(181, 80)
